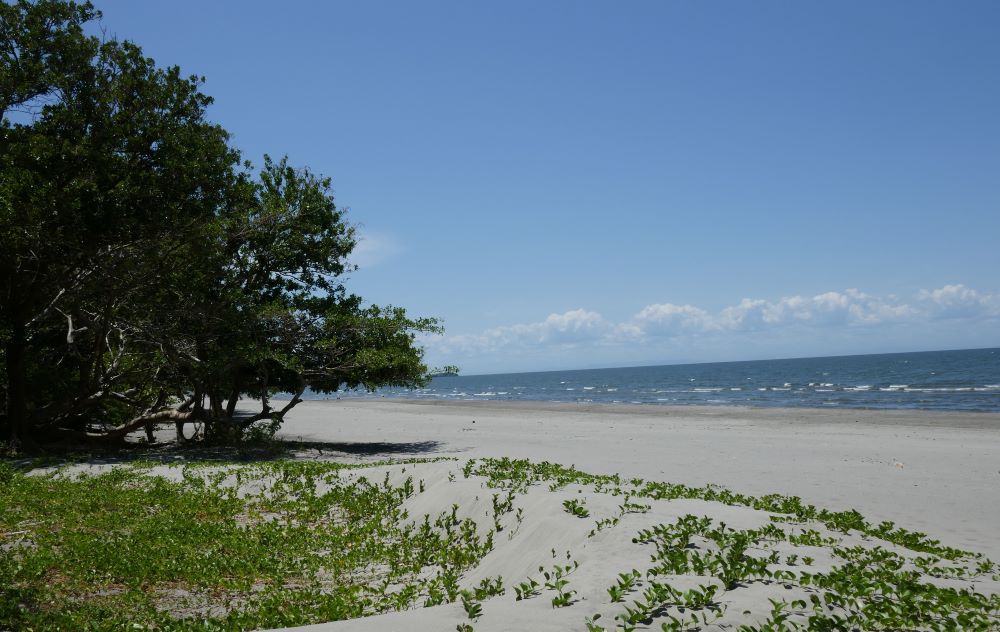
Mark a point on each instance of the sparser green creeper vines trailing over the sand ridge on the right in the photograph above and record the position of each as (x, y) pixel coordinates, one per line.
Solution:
(868, 588)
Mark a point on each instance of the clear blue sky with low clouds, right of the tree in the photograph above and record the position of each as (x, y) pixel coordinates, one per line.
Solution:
(583, 184)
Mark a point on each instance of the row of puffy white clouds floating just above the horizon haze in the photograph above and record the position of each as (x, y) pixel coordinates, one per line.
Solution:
(660, 323)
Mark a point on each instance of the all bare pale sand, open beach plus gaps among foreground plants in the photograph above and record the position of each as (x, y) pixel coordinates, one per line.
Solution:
(938, 473)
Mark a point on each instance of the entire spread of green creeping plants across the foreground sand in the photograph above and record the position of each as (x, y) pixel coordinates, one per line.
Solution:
(223, 545)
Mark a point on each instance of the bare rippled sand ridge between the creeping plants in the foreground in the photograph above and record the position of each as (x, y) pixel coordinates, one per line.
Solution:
(538, 533)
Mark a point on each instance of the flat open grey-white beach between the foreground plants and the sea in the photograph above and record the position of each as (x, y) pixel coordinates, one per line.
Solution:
(938, 473)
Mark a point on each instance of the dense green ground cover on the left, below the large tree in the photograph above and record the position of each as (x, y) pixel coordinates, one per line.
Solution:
(312, 543)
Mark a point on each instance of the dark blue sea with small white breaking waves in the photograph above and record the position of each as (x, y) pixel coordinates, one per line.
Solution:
(966, 380)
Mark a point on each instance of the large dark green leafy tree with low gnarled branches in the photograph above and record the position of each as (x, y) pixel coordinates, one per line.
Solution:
(148, 273)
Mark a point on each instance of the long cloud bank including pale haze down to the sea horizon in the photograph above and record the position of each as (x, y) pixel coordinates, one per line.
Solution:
(831, 323)
